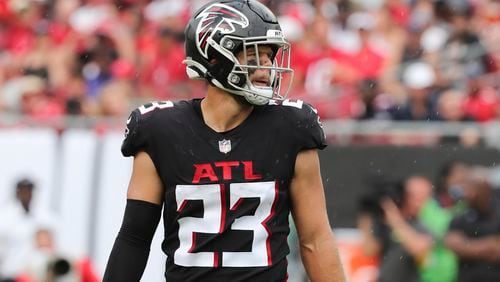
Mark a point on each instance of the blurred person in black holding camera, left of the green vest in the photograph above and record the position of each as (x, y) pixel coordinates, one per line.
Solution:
(391, 230)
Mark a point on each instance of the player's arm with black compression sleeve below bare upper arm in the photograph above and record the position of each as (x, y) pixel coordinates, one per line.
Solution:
(143, 211)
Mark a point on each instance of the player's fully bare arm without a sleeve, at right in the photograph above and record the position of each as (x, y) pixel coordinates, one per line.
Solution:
(317, 243)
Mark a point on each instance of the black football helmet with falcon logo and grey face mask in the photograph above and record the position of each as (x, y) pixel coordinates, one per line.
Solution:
(222, 30)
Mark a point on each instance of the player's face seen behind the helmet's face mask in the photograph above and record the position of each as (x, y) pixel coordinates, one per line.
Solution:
(261, 57)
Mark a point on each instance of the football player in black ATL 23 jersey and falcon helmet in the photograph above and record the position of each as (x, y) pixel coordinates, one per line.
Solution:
(227, 169)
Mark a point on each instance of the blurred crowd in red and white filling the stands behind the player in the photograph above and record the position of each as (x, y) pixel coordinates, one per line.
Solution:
(353, 59)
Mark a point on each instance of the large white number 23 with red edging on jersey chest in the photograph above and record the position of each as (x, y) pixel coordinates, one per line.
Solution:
(213, 220)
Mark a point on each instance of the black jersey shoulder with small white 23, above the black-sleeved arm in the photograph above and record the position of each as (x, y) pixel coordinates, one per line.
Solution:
(140, 126)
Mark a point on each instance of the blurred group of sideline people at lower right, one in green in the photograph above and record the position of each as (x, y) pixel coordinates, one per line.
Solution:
(443, 231)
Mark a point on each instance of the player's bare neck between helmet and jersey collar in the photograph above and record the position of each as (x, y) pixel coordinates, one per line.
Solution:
(223, 111)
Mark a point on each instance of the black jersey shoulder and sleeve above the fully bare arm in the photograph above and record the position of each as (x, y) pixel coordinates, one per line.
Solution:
(304, 121)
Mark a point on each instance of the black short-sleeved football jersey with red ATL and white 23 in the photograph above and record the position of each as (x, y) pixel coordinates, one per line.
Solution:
(226, 194)
